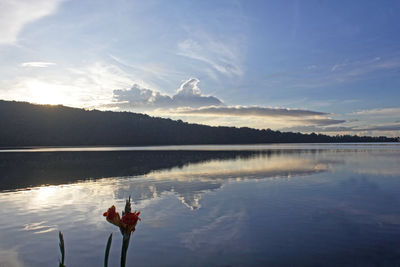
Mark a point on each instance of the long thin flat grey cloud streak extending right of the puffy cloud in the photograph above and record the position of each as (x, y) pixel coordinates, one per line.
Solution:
(254, 111)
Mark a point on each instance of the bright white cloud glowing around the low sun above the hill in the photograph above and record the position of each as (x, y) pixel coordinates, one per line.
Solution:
(87, 86)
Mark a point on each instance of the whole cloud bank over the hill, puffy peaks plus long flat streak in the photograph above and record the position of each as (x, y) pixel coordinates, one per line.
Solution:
(189, 104)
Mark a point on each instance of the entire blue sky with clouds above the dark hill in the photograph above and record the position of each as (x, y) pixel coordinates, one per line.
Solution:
(330, 67)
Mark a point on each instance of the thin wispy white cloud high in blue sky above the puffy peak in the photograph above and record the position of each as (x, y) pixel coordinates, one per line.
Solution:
(223, 56)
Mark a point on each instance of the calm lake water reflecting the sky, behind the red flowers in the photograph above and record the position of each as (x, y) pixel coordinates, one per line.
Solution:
(275, 205)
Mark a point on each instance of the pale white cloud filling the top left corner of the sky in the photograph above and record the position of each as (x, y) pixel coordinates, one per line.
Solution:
(15, 14)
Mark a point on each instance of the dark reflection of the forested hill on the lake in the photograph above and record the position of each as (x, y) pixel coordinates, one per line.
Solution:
(21, 170)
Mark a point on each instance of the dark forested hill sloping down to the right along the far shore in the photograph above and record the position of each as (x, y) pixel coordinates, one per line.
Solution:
(25, 124)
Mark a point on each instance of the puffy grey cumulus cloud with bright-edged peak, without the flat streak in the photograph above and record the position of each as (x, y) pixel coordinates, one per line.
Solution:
(188, 95)
